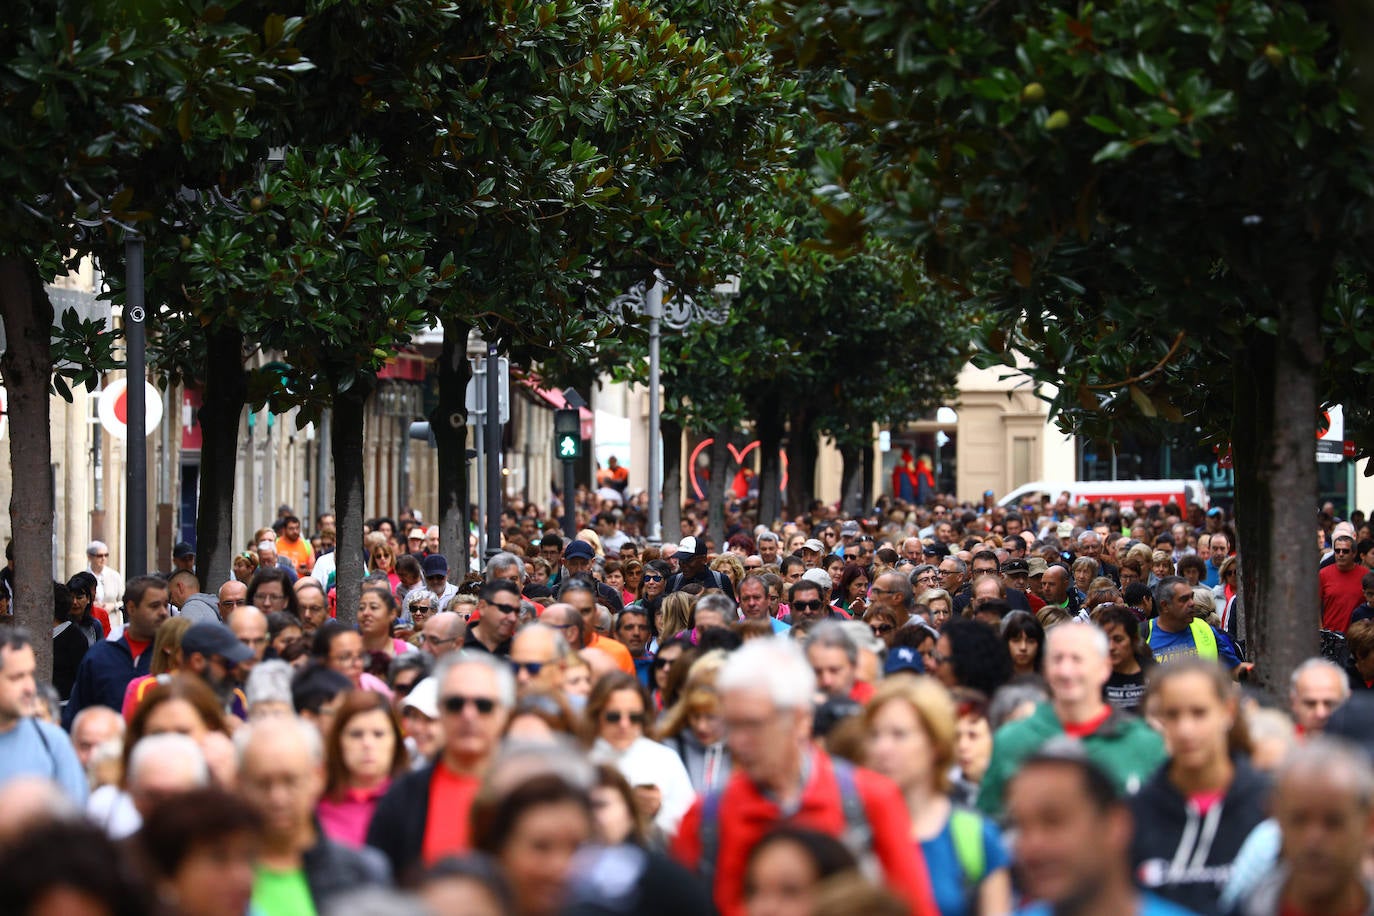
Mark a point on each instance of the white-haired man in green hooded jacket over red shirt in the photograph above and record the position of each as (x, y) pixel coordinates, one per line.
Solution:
(1078, 665)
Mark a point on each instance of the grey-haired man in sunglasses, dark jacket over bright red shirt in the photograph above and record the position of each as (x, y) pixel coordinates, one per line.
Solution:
(424, 816)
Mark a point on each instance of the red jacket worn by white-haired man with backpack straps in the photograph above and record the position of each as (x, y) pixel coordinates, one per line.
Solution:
(747, 816)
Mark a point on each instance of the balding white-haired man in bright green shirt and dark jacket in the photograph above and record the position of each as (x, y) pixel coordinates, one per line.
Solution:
(299, 870)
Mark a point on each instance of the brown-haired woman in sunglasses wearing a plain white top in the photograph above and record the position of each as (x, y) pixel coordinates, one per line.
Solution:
(618, 719)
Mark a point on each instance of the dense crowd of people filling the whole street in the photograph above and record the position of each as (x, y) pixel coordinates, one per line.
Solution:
(941, 709)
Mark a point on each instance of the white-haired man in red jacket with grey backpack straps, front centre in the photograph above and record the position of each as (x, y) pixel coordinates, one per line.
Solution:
(767, 693)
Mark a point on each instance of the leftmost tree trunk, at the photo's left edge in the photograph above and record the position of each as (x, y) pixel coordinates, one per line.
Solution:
(27, 369)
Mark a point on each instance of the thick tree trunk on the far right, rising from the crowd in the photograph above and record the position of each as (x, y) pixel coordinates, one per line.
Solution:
(1274, 446)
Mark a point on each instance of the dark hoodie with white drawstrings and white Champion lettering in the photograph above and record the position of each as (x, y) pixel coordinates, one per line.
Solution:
(1185, 855)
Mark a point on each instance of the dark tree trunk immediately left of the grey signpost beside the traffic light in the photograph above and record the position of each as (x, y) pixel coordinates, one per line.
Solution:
(449, 422)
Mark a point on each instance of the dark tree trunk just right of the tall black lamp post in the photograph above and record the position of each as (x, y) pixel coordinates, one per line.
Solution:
(222, 409)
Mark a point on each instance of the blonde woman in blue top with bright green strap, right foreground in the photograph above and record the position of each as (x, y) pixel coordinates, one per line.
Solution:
(912, 727)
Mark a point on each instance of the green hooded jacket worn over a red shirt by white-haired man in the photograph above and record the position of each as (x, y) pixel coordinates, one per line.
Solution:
(1125, 746)
